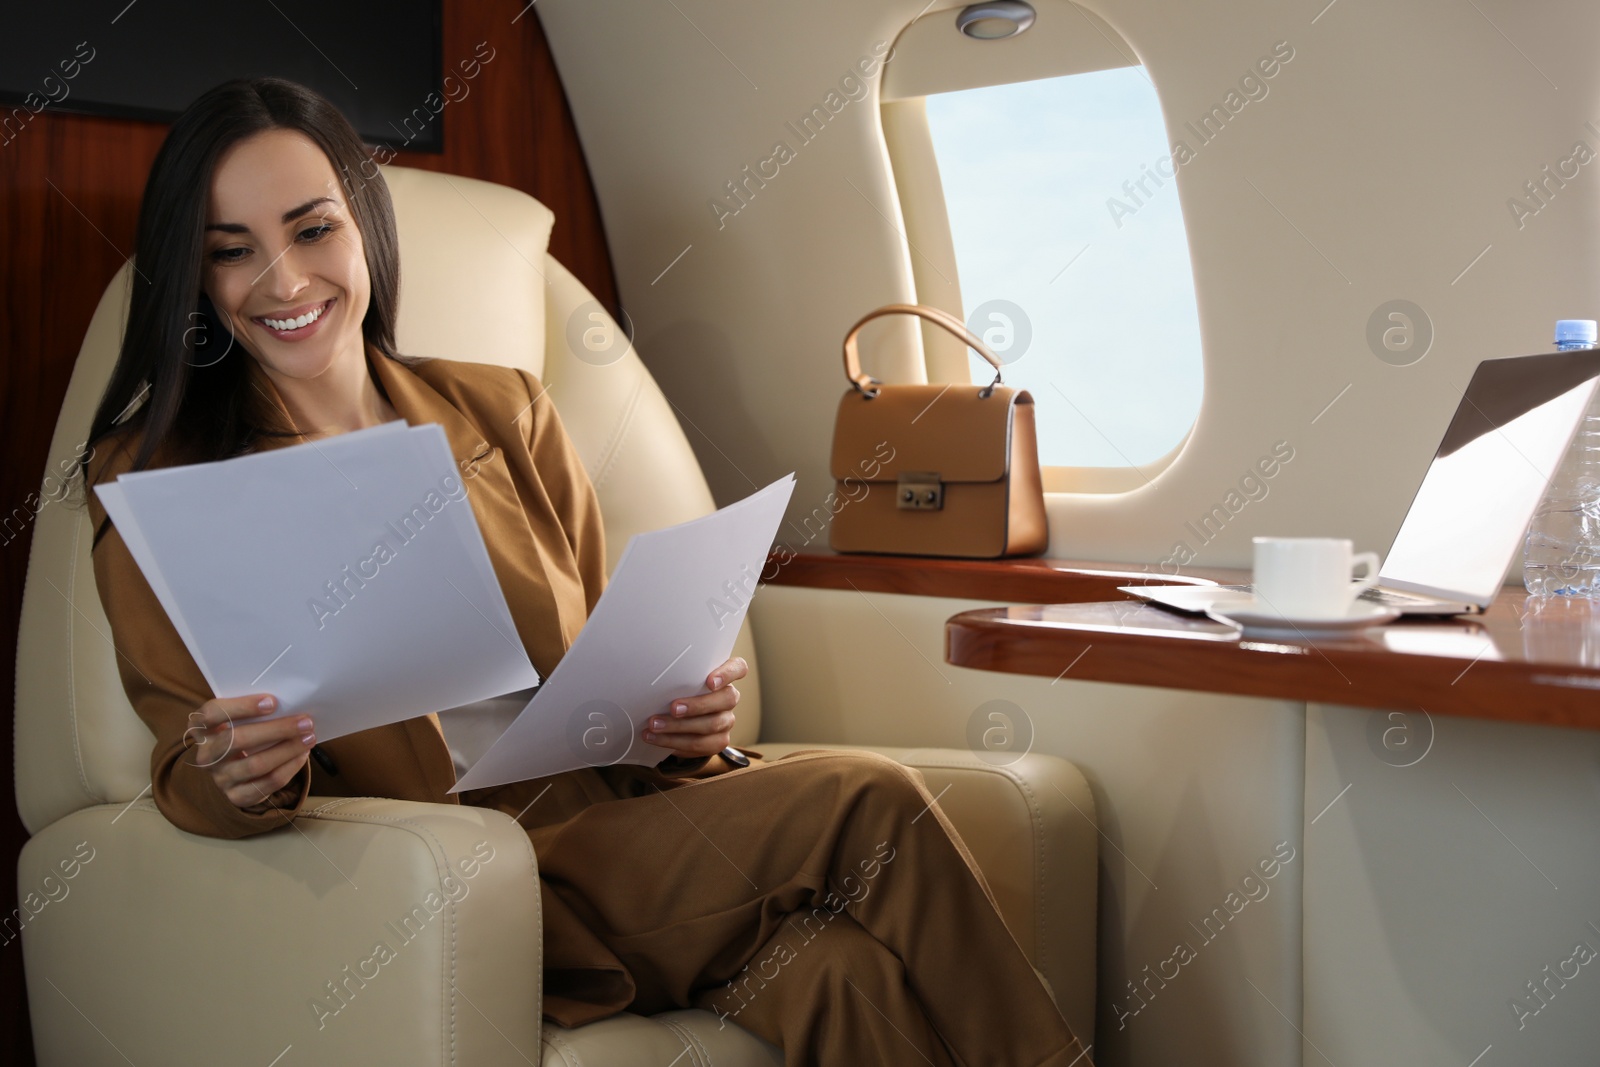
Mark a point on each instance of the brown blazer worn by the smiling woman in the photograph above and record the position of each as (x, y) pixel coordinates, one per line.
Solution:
(543, 532)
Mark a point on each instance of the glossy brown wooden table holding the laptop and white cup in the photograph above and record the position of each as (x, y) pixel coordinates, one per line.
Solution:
(1526, 660)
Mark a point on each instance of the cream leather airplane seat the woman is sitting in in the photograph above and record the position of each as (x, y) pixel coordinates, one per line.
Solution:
(151, 946)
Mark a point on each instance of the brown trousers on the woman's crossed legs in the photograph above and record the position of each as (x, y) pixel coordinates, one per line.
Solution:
(822, 901)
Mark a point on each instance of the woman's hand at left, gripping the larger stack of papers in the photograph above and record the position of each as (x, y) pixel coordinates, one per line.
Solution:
(249, 759)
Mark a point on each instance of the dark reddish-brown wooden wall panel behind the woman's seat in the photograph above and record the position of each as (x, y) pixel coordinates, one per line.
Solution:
(70, 198)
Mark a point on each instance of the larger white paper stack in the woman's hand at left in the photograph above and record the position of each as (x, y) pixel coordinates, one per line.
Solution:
(345, 577)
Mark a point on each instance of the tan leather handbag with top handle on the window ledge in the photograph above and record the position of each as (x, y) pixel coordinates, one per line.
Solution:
(935, 470)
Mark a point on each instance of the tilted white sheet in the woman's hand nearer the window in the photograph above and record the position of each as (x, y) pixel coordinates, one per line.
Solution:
(670, 615)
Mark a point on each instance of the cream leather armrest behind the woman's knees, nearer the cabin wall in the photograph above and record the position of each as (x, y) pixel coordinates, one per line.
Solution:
(1033, 831)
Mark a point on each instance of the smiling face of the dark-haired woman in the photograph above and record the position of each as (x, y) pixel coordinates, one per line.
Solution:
(284, 260)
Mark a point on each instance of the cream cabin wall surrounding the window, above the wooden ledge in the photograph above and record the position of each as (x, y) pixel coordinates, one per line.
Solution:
(1378, 169)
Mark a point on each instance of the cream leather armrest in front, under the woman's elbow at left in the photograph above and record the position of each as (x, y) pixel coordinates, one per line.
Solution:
(375, 932)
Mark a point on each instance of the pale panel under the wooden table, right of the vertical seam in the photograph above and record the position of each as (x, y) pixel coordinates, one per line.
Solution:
(1452, 877)
